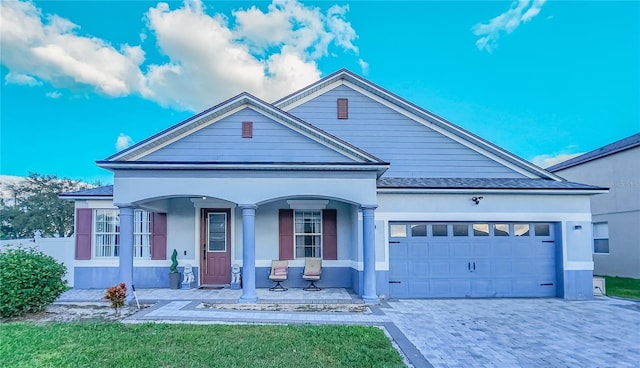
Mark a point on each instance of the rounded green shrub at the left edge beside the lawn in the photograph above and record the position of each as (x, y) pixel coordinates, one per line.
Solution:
(29, 281)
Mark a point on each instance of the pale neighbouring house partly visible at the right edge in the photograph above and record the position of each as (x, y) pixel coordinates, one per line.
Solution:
(616, 215)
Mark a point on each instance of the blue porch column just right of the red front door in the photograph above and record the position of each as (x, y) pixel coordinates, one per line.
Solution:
(248, 253)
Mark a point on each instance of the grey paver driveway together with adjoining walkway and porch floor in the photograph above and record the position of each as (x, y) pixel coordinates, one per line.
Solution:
(602, 332)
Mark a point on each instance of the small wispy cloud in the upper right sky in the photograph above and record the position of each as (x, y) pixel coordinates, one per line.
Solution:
(520, 12)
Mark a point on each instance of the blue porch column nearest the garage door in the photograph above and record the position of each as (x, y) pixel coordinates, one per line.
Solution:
(369, 253)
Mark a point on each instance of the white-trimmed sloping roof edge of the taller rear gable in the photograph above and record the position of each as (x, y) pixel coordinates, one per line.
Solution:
(345, 76)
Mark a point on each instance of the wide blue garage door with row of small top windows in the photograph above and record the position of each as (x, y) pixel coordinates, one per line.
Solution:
(481, 259)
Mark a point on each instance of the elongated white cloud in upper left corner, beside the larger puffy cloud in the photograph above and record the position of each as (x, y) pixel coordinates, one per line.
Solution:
(48, 48)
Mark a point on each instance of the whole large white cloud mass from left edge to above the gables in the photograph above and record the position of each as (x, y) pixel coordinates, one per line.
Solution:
(269, 54)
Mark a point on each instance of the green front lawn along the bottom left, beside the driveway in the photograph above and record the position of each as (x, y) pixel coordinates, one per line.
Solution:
(90, 344)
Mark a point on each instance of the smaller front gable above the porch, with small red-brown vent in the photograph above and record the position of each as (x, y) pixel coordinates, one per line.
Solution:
(195, 139)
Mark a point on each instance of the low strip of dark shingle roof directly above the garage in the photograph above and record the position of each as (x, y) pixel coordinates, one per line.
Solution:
(480, 183)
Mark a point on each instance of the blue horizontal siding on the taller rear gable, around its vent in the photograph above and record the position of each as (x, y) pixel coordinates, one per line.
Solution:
(413, 149)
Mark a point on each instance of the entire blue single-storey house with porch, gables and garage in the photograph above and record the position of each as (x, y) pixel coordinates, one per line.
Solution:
(397, 201)
